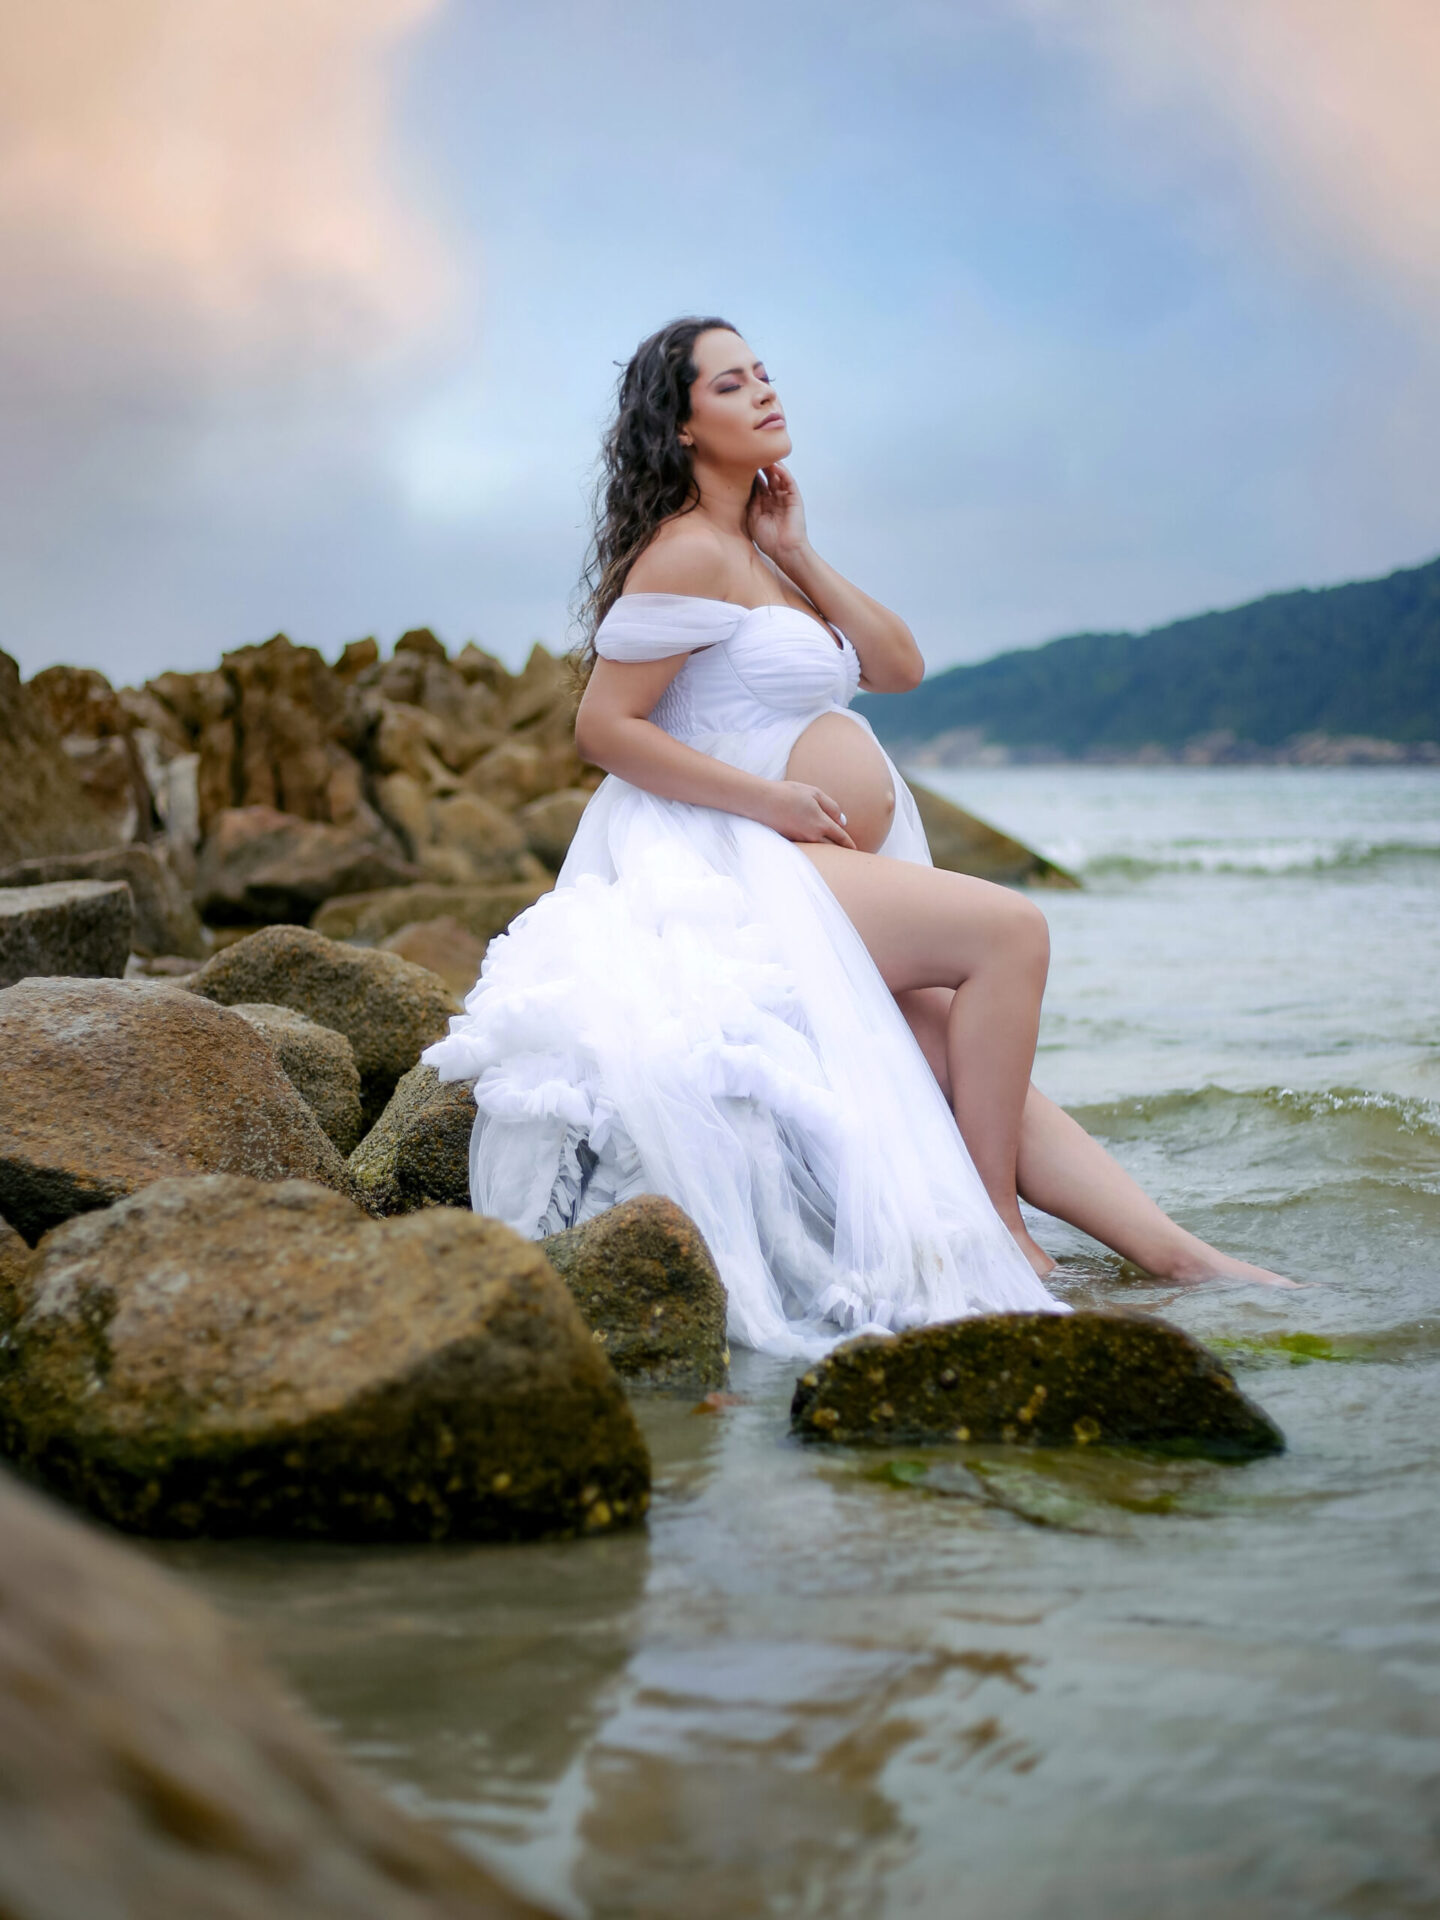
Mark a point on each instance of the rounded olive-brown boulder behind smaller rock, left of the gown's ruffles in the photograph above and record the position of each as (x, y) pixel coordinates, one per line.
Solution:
(387, 1009)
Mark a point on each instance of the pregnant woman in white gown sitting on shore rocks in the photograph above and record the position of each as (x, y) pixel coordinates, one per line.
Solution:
(752, 990)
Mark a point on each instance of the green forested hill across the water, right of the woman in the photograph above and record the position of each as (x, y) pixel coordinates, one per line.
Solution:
(1356, 660)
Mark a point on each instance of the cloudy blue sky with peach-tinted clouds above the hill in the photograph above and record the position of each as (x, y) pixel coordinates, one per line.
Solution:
(1088, 314)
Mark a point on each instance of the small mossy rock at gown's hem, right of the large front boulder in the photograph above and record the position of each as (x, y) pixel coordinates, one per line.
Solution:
(648, 1287)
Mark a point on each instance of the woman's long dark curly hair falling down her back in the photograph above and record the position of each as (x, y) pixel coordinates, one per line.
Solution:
(644, 473)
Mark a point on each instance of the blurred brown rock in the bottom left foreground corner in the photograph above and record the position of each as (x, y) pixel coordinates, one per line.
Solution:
(151, 1767)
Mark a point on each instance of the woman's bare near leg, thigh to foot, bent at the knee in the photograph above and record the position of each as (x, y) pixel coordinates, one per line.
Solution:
(992, 949)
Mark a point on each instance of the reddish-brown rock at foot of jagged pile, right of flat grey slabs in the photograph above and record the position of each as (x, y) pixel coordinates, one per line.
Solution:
(260, 865)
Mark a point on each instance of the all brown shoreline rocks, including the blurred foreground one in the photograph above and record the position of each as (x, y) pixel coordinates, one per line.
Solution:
(241, 1284)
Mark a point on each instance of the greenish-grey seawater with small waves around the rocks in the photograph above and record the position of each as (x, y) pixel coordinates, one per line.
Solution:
(996, 1685)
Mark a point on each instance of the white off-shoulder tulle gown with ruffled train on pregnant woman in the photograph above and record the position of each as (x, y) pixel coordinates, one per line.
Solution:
(690, 1013)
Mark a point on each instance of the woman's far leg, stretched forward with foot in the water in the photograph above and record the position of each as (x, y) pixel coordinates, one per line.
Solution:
(1065, 1172)
